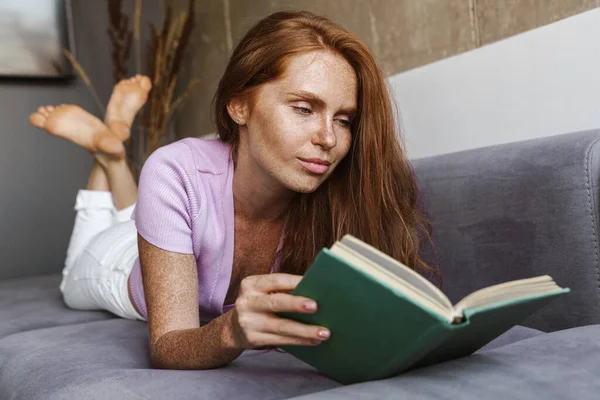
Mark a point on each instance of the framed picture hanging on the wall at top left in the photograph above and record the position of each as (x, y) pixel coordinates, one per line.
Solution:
(34, 34)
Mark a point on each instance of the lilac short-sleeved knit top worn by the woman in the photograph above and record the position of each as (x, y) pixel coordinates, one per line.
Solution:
(185, 205)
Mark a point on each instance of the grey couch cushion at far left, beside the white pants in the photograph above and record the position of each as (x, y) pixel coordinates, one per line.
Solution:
(33, 303)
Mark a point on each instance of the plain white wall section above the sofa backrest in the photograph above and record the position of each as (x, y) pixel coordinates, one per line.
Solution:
(539, 83)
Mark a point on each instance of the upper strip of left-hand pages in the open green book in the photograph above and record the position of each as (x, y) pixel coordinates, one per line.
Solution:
(396, 268)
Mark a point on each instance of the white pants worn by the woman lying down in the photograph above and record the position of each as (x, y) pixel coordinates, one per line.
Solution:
(100, 256)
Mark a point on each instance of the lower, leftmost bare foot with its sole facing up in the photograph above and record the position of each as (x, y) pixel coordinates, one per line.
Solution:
(73, 123)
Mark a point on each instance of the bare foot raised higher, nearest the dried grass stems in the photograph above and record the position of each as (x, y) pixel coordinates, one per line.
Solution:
(129, 95)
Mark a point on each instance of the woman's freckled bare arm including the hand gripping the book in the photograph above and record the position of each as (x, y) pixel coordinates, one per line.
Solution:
(176, 339)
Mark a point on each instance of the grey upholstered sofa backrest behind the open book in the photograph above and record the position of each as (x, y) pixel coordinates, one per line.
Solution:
(519, 210)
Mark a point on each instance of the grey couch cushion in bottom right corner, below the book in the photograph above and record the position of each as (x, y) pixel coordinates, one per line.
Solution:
(557, 365)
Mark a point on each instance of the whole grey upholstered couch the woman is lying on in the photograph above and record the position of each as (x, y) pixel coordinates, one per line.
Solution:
(499, 213)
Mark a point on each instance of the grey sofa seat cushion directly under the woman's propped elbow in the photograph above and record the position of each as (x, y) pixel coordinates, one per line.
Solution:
(109, 359)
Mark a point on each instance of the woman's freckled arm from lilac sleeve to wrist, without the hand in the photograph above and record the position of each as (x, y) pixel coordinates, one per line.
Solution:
(176, 339)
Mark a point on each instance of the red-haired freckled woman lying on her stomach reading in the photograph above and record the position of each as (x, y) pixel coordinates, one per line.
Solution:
(307, 152)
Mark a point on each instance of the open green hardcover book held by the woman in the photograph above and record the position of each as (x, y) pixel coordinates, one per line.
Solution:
(385, 318)
